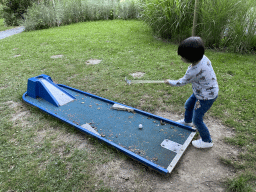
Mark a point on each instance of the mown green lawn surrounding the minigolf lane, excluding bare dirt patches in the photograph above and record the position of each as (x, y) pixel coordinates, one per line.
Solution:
(30, 164)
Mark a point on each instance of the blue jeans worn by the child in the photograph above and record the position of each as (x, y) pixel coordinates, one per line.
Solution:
(195, 110)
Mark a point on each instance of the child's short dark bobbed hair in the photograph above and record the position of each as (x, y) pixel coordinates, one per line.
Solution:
(192, 49)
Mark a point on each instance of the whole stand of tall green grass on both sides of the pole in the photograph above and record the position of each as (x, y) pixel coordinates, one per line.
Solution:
(226, 24)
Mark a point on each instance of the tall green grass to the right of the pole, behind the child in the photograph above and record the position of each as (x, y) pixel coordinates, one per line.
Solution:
(227, 24)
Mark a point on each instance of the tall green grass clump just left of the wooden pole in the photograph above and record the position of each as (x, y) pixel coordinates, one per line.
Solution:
(169, 18)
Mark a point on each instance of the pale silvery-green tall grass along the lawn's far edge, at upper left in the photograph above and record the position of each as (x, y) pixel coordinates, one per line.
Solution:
(55, 13)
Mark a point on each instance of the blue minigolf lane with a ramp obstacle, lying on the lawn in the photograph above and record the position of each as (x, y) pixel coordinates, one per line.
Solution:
(152, 140)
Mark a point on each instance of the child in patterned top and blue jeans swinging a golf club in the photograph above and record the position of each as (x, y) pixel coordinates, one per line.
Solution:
(204, 84)
